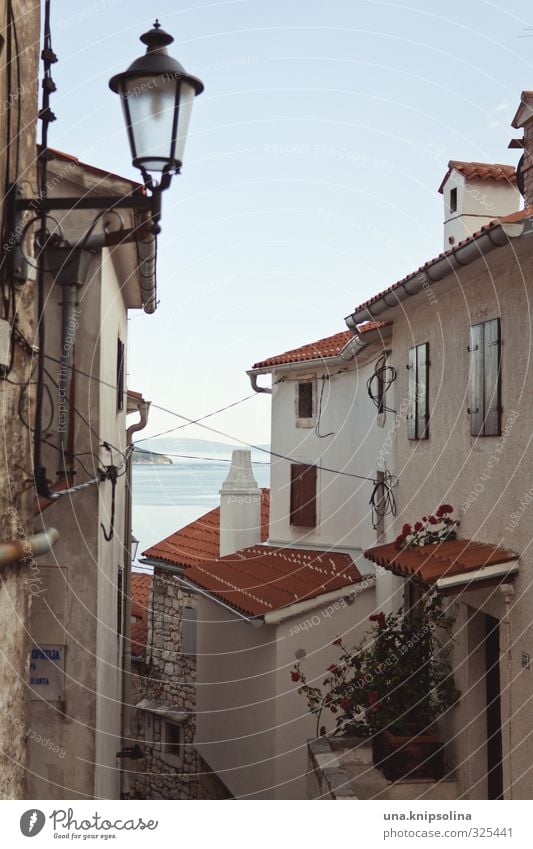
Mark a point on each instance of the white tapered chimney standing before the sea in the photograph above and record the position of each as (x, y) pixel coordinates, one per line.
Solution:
(240, 506)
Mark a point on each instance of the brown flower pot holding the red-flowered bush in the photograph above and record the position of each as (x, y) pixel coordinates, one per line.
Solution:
(418, 755)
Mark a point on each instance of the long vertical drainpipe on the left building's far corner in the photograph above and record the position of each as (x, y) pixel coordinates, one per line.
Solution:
(143, 408)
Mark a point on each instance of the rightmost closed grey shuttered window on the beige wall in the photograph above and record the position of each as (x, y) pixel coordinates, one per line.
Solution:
(484, 380)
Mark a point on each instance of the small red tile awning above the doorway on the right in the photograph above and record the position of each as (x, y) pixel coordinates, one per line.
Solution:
(443, 560)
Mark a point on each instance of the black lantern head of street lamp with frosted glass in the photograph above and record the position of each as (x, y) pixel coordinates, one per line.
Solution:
(157, 96)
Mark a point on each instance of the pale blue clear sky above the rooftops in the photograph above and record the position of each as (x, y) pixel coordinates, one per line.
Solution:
(311, 170)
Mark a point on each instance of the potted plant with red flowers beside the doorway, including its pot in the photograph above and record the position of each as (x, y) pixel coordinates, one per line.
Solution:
(392, 688)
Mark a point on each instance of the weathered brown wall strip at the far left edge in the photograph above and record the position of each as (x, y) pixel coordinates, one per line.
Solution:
(17, 101)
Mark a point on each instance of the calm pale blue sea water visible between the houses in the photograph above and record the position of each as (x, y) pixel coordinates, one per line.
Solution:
(165, 498)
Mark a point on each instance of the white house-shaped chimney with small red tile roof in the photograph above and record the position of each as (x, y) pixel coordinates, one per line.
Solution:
(474, 194)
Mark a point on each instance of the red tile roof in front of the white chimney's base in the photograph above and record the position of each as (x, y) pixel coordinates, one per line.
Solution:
(261, 579)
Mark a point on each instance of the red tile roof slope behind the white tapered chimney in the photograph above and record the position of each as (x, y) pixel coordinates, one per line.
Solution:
(199, 542)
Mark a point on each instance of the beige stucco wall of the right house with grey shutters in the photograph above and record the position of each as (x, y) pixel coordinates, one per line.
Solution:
(487, 480)
